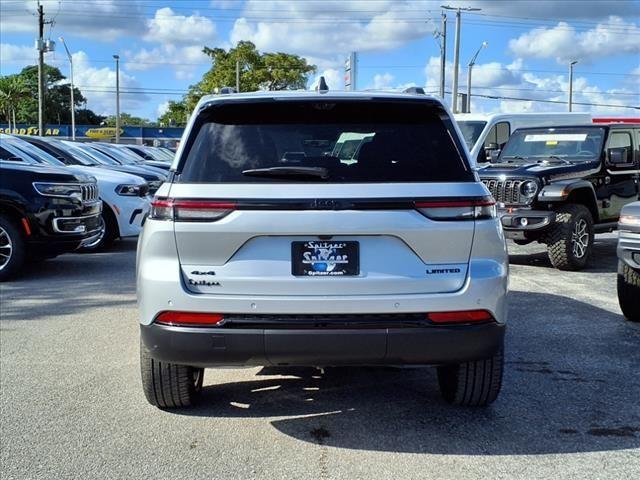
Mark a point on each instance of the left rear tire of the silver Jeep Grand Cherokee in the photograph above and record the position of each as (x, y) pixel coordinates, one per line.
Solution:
(167, 385)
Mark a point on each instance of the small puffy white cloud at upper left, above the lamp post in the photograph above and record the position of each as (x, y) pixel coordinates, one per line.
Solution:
(167, 27)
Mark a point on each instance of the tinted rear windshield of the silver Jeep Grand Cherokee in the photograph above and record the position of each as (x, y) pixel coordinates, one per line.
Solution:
(349, 142)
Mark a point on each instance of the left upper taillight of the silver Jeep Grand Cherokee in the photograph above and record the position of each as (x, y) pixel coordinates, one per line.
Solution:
(189, 210)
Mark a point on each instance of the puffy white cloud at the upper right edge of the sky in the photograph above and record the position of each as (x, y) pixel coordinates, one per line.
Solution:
(564, 43)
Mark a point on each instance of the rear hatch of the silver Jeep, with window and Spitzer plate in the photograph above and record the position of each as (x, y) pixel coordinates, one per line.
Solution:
(263, 203)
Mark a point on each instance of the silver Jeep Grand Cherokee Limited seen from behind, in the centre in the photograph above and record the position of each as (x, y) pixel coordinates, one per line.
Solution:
(322, 229)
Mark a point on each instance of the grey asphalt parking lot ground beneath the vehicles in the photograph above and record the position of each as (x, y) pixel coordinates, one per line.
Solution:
(72, 405)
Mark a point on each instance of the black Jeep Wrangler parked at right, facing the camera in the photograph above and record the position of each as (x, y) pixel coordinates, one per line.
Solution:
(560, 186)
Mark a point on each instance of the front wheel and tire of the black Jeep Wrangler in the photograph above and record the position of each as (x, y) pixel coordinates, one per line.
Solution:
(570, 240)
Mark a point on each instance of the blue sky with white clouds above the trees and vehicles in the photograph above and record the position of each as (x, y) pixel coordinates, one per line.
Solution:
(530, 44)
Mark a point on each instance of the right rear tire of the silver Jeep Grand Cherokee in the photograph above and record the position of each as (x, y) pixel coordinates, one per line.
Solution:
(472, 384)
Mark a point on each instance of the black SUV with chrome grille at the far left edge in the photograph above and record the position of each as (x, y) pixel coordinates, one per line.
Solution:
(44, 212)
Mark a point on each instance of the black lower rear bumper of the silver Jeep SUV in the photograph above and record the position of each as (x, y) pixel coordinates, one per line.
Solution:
(429, 345)
